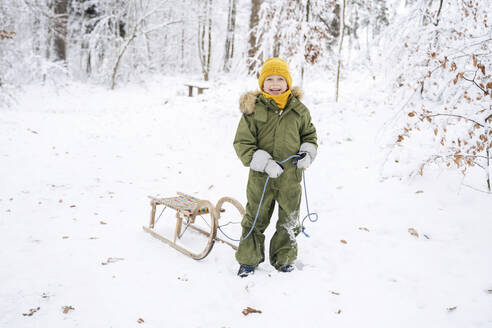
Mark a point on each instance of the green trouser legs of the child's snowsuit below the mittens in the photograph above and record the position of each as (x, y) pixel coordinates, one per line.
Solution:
(286, 191)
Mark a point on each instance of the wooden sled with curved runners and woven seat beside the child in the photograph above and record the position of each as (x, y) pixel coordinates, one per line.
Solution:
(187, 209)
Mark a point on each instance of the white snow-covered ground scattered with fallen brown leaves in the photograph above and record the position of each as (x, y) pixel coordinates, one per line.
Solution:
(77, 165)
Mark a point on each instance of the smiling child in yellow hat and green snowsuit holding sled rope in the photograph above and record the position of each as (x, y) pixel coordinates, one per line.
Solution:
(275, 125)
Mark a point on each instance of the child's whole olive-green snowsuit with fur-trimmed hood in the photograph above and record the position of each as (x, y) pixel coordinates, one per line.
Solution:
(261, 127)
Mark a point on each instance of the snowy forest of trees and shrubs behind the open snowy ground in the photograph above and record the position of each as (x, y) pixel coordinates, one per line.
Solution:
(434, 56)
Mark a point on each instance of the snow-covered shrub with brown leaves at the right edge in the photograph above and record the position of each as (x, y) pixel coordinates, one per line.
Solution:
(441, 67)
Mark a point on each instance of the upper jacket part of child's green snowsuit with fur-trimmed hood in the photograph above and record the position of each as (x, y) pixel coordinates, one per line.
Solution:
(261, 127)
